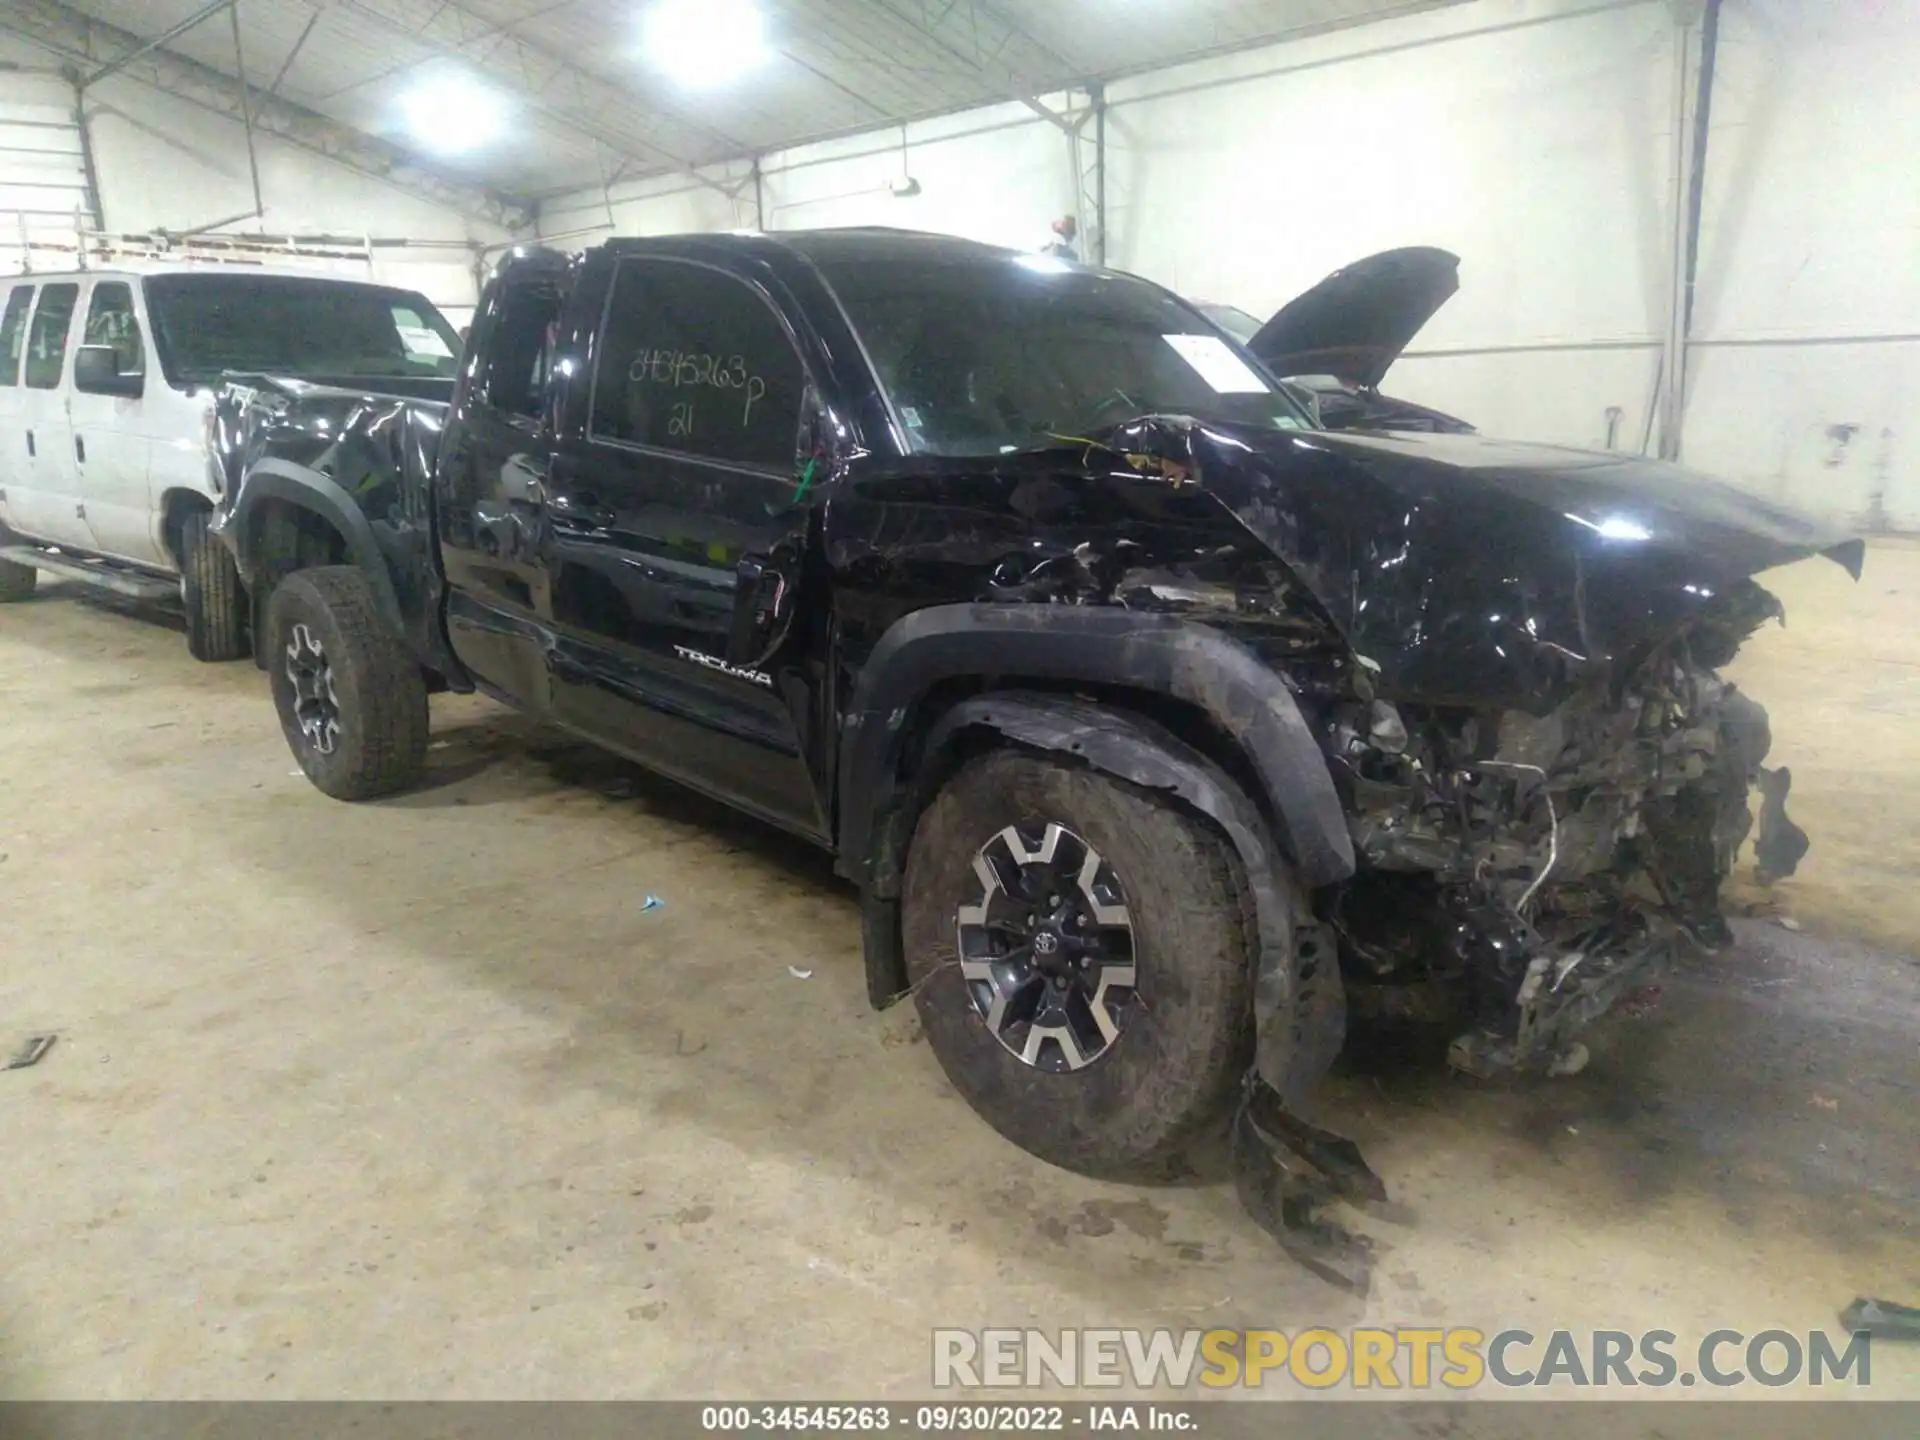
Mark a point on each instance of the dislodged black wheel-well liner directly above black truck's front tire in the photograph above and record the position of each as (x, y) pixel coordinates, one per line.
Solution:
(1299, 999)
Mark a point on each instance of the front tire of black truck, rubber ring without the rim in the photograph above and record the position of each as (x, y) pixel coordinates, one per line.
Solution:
(1168, 1080)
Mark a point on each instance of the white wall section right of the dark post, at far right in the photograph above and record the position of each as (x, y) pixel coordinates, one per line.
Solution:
(1812, 237)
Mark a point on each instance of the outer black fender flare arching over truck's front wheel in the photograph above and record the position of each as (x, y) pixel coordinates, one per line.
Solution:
(1093, 646)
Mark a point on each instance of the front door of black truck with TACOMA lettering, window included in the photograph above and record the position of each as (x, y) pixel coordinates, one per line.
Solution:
(683, 466)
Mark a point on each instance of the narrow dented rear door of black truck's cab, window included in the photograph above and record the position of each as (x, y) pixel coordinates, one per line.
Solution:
(489, 485)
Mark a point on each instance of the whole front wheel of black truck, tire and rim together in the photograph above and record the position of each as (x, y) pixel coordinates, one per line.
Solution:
(1082, 963)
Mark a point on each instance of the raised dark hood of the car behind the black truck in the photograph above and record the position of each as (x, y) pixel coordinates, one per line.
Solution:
(1356, 322)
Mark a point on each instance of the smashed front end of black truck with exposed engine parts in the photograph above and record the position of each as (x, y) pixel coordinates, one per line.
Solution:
(1522, 873)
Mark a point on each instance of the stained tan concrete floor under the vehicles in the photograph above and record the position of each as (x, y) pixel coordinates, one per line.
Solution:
(416, 1099)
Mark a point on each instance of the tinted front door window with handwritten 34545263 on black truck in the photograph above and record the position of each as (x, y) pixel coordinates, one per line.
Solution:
(696, 362)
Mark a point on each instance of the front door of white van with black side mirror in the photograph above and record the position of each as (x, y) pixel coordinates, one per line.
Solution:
(112, 433)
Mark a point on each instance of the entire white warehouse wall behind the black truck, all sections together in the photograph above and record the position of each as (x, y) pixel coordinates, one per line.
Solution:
(1535, 139)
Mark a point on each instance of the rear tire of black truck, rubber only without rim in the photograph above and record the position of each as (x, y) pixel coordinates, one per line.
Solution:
(383, 721)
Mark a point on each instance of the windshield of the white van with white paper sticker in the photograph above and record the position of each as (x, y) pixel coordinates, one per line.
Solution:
(297, 327)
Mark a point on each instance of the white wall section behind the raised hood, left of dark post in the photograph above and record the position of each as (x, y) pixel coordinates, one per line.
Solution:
(1533, 143)
